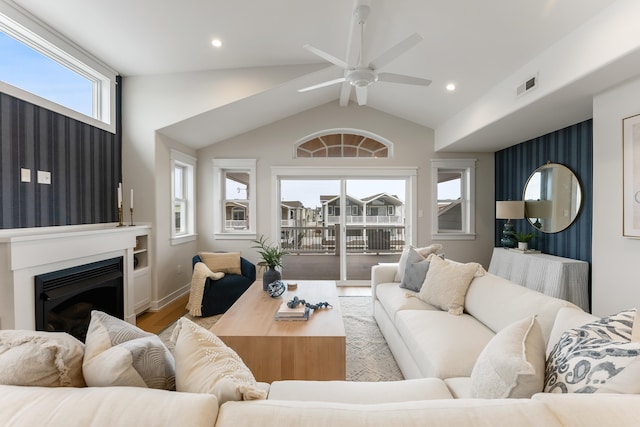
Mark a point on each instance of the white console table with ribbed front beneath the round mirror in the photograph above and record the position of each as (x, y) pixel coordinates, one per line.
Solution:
(559, 277)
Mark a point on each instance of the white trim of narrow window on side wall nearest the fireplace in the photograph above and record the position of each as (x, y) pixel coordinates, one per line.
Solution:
(180, 158)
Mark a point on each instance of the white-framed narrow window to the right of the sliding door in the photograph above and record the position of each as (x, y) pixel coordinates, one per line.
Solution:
(453, 215)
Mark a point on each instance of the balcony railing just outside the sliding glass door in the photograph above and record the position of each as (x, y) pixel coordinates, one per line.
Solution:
(359, 239)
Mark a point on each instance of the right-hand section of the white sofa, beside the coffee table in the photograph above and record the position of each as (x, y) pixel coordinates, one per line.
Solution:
(429, 342)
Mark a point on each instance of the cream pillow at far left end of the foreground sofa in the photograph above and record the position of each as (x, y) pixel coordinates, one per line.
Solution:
(37, 358)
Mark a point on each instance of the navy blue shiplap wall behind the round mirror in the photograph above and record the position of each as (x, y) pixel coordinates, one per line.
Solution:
(572, 147)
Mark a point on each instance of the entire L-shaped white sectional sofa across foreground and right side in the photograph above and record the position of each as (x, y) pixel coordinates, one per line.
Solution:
(436, 351)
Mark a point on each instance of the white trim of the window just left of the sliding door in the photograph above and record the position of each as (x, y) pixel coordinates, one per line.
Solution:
(220, 166)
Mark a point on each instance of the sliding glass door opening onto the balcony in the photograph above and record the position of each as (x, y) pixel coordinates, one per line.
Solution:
(337, 228)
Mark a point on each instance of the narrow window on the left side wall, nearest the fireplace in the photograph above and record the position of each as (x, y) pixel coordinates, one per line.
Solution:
(183, 194)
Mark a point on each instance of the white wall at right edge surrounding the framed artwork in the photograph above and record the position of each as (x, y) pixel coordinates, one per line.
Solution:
(615, 259)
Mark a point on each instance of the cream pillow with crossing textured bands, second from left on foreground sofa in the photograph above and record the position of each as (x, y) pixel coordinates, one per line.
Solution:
(118, 353)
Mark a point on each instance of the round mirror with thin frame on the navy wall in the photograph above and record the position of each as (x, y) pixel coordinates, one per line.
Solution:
(553, 198)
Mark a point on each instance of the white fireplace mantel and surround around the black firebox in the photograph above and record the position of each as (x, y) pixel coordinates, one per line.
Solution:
(26, 253)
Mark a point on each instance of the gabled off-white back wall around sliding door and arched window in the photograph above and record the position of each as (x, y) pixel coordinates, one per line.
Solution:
(272, 145)
